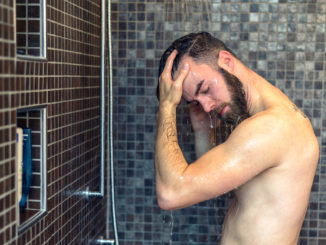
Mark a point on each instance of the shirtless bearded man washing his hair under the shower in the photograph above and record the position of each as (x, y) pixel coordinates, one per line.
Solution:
(269, 159)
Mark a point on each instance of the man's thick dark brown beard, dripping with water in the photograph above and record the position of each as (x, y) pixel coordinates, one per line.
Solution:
(237, 108)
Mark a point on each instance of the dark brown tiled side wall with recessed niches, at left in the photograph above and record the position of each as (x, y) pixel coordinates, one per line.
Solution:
(67, 84)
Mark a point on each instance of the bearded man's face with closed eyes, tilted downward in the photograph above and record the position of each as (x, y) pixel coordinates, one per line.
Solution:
(217, 91)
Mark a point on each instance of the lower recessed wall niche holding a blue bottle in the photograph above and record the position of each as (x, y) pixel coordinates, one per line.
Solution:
(35, 207)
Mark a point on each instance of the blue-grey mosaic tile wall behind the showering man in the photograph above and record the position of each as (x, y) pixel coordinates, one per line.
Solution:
(283, 40)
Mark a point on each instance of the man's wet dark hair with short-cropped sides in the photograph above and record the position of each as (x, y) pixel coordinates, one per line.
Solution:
(201, 46)
